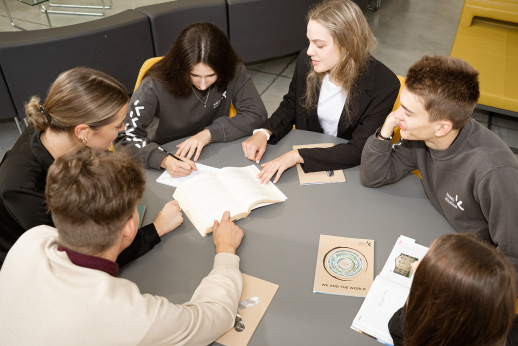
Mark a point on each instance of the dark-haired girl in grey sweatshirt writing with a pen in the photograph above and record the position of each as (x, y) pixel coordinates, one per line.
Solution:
(190, 92)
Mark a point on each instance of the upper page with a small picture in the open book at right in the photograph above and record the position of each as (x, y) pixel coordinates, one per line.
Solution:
(404, 253)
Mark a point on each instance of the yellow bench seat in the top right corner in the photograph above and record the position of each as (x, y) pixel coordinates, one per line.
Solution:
(487, 38)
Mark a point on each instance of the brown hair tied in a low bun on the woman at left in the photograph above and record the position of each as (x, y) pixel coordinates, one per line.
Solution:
(78, 96)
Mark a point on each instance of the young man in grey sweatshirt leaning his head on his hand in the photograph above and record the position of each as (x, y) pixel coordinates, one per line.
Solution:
(469, 174)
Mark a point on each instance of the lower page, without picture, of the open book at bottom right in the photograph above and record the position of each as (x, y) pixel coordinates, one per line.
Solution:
(384, 299)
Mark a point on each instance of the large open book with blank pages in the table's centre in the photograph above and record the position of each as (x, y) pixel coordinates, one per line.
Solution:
(206, 197)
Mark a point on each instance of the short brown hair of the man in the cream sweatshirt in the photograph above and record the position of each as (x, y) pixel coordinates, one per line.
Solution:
(91, 194)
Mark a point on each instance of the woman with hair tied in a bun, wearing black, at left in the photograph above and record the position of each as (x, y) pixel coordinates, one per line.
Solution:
(83, 107)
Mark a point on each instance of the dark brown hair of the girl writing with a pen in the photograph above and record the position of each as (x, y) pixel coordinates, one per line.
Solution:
(198, 43)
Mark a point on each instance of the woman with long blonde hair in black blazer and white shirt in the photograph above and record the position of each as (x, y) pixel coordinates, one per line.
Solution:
(338, 88)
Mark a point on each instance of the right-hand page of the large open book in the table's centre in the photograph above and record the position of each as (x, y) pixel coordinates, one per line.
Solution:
(242, 182)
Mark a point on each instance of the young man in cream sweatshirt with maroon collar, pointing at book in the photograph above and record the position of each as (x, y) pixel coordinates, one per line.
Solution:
(60, 286)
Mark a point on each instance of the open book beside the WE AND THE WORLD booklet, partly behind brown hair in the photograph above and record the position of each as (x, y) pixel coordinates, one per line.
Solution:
(389, 291)
